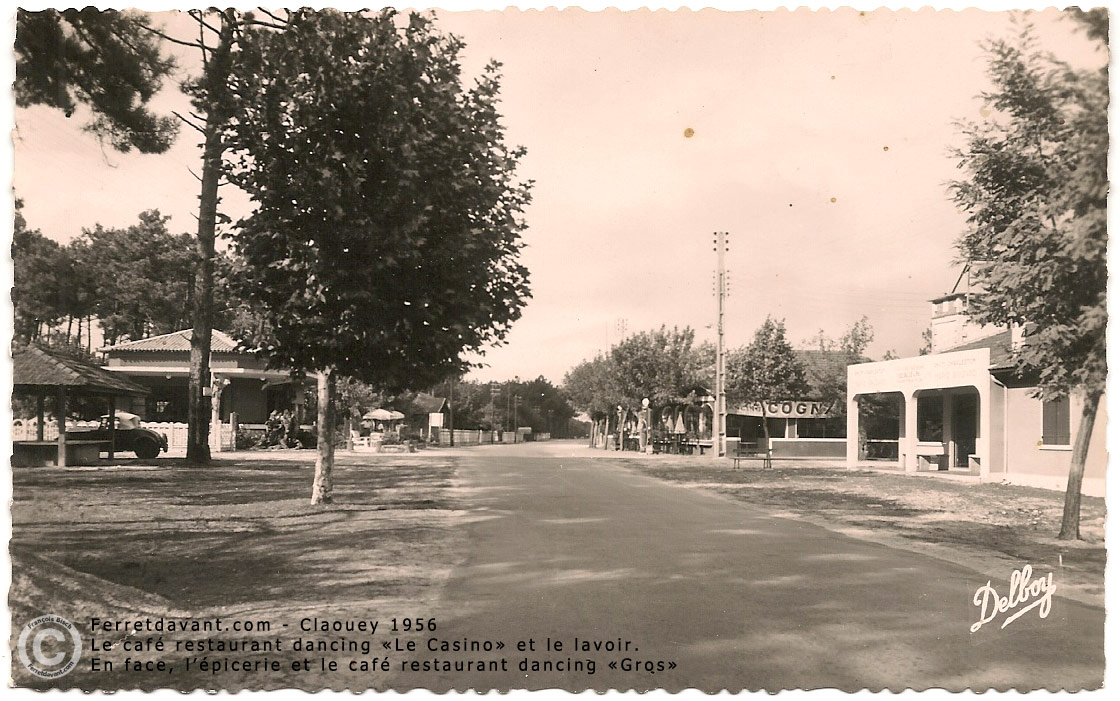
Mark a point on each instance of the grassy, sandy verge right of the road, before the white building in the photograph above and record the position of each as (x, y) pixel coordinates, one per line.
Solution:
(992, 528)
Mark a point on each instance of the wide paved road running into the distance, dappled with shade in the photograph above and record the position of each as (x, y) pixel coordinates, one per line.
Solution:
(568, 548)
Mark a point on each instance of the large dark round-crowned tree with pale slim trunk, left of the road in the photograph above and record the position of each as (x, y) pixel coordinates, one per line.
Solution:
(387, 227)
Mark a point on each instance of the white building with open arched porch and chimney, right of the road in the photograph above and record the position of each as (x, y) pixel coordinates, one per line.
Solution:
(964, 409)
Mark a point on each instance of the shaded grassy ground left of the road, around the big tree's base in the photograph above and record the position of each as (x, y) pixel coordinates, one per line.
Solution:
(237, 540)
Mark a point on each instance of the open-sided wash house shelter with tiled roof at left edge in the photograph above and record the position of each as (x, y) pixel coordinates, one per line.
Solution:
(40, 372)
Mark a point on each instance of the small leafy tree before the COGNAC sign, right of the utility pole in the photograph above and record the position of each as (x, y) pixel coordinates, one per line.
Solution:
(767, 370)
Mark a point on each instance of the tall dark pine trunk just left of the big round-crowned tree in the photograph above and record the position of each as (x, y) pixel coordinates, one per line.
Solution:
(199, 410)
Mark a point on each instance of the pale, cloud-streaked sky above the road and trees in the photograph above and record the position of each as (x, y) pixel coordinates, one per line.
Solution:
(819, 141)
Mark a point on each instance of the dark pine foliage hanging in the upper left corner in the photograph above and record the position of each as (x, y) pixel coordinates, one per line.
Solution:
(109, 61)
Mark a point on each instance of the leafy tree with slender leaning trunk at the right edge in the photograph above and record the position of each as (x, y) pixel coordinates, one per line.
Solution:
(1035, 195)
